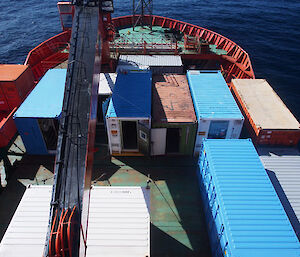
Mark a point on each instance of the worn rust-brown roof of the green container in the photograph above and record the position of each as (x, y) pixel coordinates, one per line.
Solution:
(172, 100)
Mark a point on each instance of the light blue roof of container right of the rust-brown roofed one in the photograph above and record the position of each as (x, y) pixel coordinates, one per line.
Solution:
(211, 96)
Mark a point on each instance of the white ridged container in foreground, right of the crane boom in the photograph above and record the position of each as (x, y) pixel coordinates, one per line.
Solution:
(119, 222)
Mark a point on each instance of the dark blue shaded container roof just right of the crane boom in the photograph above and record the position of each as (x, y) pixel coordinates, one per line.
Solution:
(131, 96)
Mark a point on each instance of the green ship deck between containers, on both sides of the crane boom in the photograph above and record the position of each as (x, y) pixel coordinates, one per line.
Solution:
(177, 220)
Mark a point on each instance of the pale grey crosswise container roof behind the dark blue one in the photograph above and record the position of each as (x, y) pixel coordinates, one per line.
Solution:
(150, 60)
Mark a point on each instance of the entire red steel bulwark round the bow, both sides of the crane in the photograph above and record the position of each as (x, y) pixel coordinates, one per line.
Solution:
(235, 64)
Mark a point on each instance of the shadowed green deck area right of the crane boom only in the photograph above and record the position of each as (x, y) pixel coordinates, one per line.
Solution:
(177, 219)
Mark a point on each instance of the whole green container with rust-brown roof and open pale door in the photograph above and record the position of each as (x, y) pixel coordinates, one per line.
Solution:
(174, 121)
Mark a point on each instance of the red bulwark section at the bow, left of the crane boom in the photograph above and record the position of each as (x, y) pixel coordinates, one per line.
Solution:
(48, 54)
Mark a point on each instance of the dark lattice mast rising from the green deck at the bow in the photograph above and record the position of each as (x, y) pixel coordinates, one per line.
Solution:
(140, 8)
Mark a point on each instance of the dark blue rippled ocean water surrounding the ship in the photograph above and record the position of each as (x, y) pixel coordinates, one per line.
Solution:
(269, 30)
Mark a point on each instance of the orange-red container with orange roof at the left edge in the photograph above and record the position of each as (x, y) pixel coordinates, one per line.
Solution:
(16, 81)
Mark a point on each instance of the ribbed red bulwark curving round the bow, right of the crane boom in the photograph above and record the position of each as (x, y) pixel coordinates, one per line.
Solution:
(236, 63)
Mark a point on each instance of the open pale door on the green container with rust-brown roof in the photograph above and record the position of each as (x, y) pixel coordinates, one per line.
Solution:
(158, 141)
